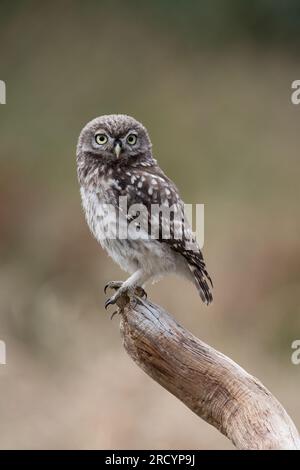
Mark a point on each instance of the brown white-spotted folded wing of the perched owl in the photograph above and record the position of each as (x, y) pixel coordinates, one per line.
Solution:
(155, 188)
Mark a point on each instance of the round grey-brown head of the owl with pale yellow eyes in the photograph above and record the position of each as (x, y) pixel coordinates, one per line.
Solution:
(114, 137)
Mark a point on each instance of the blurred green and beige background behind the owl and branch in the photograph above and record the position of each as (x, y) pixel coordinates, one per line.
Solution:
(212, 82)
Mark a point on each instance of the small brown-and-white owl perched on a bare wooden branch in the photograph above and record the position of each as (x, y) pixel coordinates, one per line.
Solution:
(121, 184)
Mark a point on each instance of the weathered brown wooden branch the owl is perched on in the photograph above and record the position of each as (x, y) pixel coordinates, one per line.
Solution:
(213, 386)
